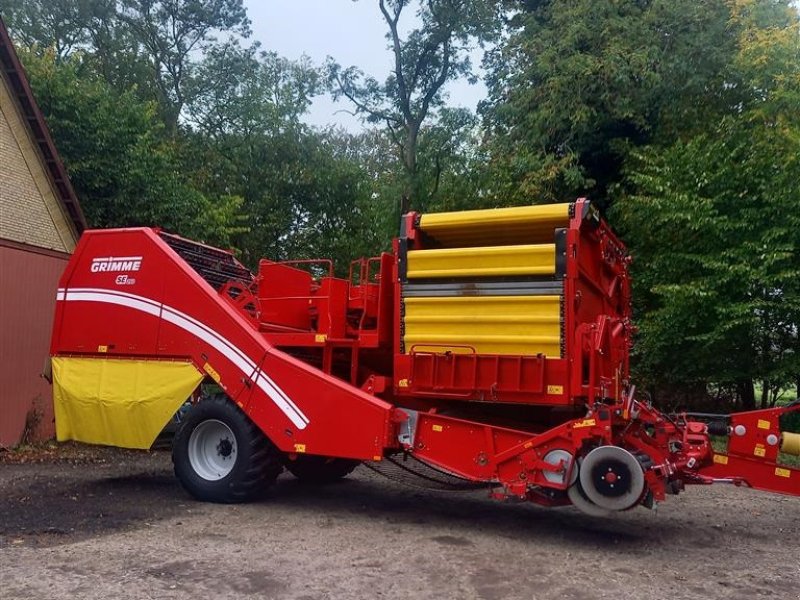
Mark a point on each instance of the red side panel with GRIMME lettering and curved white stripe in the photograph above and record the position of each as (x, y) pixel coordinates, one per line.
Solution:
(127, 293)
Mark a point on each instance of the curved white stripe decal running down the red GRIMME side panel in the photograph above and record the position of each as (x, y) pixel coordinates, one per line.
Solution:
(199, 330)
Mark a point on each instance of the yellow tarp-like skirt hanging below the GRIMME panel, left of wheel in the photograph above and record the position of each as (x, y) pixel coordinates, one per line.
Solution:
(117, 402)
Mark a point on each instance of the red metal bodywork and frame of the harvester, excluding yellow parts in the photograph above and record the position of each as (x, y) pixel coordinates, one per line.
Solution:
(318, 364)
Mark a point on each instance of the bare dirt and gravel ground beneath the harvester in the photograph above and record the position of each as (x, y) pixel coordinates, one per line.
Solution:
(84, 524)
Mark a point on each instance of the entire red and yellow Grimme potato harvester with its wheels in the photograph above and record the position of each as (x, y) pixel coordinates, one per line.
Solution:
(491, 346)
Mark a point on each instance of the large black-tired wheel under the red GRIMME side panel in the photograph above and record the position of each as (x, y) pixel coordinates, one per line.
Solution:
(255, 465)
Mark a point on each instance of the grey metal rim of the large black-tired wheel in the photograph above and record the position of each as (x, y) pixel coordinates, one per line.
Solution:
(212, 450)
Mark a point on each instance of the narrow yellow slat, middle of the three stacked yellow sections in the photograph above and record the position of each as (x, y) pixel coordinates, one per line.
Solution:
(489, 261)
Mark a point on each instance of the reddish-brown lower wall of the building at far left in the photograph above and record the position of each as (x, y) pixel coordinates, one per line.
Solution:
(28, 283)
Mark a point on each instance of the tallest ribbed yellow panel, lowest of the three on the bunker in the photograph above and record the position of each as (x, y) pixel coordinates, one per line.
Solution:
(519, 325)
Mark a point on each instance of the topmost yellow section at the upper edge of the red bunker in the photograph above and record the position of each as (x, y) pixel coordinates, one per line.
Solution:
(496, 226)
